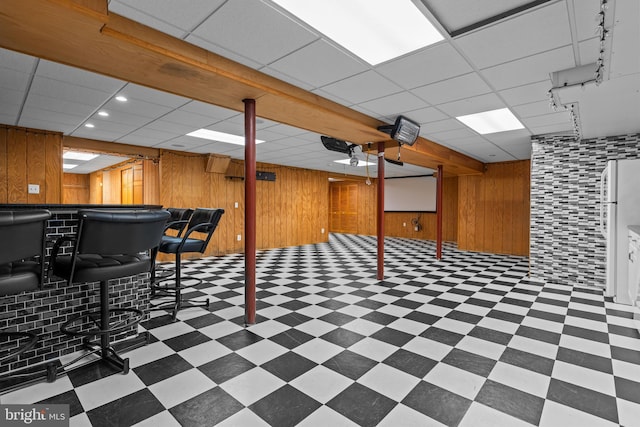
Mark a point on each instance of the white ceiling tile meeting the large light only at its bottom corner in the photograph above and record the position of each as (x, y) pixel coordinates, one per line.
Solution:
(363, 87)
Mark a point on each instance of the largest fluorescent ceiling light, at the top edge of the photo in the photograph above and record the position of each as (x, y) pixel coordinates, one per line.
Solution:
(374, 30)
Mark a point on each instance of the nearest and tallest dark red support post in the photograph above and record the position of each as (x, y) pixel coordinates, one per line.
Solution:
(250, 211)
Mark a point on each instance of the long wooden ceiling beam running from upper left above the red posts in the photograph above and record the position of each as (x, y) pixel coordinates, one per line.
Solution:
(82, 34)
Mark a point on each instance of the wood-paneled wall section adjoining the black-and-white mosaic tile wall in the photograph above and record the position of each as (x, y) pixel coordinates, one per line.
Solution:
(494, 209)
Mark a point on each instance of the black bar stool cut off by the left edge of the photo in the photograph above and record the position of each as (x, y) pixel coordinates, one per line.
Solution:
(21, 269)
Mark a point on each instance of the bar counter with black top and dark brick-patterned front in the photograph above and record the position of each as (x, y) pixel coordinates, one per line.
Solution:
(43, 311)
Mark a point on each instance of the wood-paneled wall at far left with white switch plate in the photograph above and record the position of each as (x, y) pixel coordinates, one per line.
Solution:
(30, 156)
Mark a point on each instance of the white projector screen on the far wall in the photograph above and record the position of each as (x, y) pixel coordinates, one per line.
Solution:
(411, 194)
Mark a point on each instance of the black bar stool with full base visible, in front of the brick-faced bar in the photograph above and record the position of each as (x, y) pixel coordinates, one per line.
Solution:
(108, 245)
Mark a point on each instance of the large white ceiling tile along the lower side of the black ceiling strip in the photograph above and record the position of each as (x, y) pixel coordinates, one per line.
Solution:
(488, 47)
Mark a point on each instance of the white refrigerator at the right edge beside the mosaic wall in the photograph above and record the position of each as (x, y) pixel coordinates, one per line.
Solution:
(619, 208)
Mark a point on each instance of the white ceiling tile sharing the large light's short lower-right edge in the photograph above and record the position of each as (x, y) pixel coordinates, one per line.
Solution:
(435, 63)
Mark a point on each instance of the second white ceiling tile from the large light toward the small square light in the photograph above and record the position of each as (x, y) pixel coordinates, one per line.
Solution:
(453, 89)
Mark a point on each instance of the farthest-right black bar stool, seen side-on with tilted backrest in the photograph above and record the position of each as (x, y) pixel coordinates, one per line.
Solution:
(202, 221)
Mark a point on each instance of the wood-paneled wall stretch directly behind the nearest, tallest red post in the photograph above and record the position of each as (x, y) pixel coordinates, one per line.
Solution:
(293, 210)
